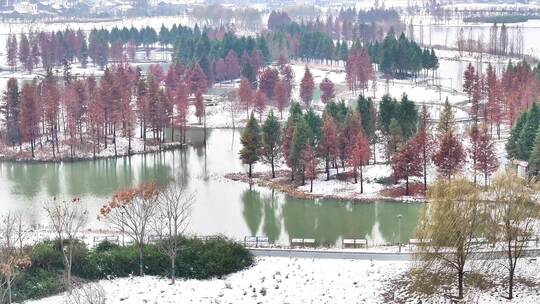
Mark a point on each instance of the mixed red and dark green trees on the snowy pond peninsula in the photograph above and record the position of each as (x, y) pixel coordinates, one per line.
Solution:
(342, 138)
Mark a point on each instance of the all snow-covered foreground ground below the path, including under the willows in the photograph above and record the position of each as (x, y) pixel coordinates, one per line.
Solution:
(292, 280)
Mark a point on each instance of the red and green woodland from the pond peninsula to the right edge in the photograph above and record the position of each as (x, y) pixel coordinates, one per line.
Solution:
(341, 138)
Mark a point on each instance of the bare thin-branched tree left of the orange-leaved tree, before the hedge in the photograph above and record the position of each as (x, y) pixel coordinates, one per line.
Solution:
(67, 219)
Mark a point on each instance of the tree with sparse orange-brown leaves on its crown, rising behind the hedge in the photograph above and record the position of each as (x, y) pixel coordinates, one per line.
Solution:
(131, 211)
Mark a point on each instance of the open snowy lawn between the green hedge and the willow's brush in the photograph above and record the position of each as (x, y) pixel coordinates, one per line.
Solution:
(272, 280)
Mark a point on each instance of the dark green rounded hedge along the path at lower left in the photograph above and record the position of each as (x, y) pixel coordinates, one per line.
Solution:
(197, 259)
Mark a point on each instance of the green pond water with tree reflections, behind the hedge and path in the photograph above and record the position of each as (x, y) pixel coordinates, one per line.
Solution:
(221, 206)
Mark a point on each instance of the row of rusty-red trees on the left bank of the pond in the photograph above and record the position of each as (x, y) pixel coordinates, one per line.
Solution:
(88, 115)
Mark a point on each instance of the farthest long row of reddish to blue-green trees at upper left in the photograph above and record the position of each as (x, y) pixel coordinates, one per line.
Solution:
(102, 45)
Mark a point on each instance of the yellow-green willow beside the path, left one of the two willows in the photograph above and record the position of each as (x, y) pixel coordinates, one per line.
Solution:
(448, 228)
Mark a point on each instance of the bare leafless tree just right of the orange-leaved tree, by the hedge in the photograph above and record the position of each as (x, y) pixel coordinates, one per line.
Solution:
(172, 219)
